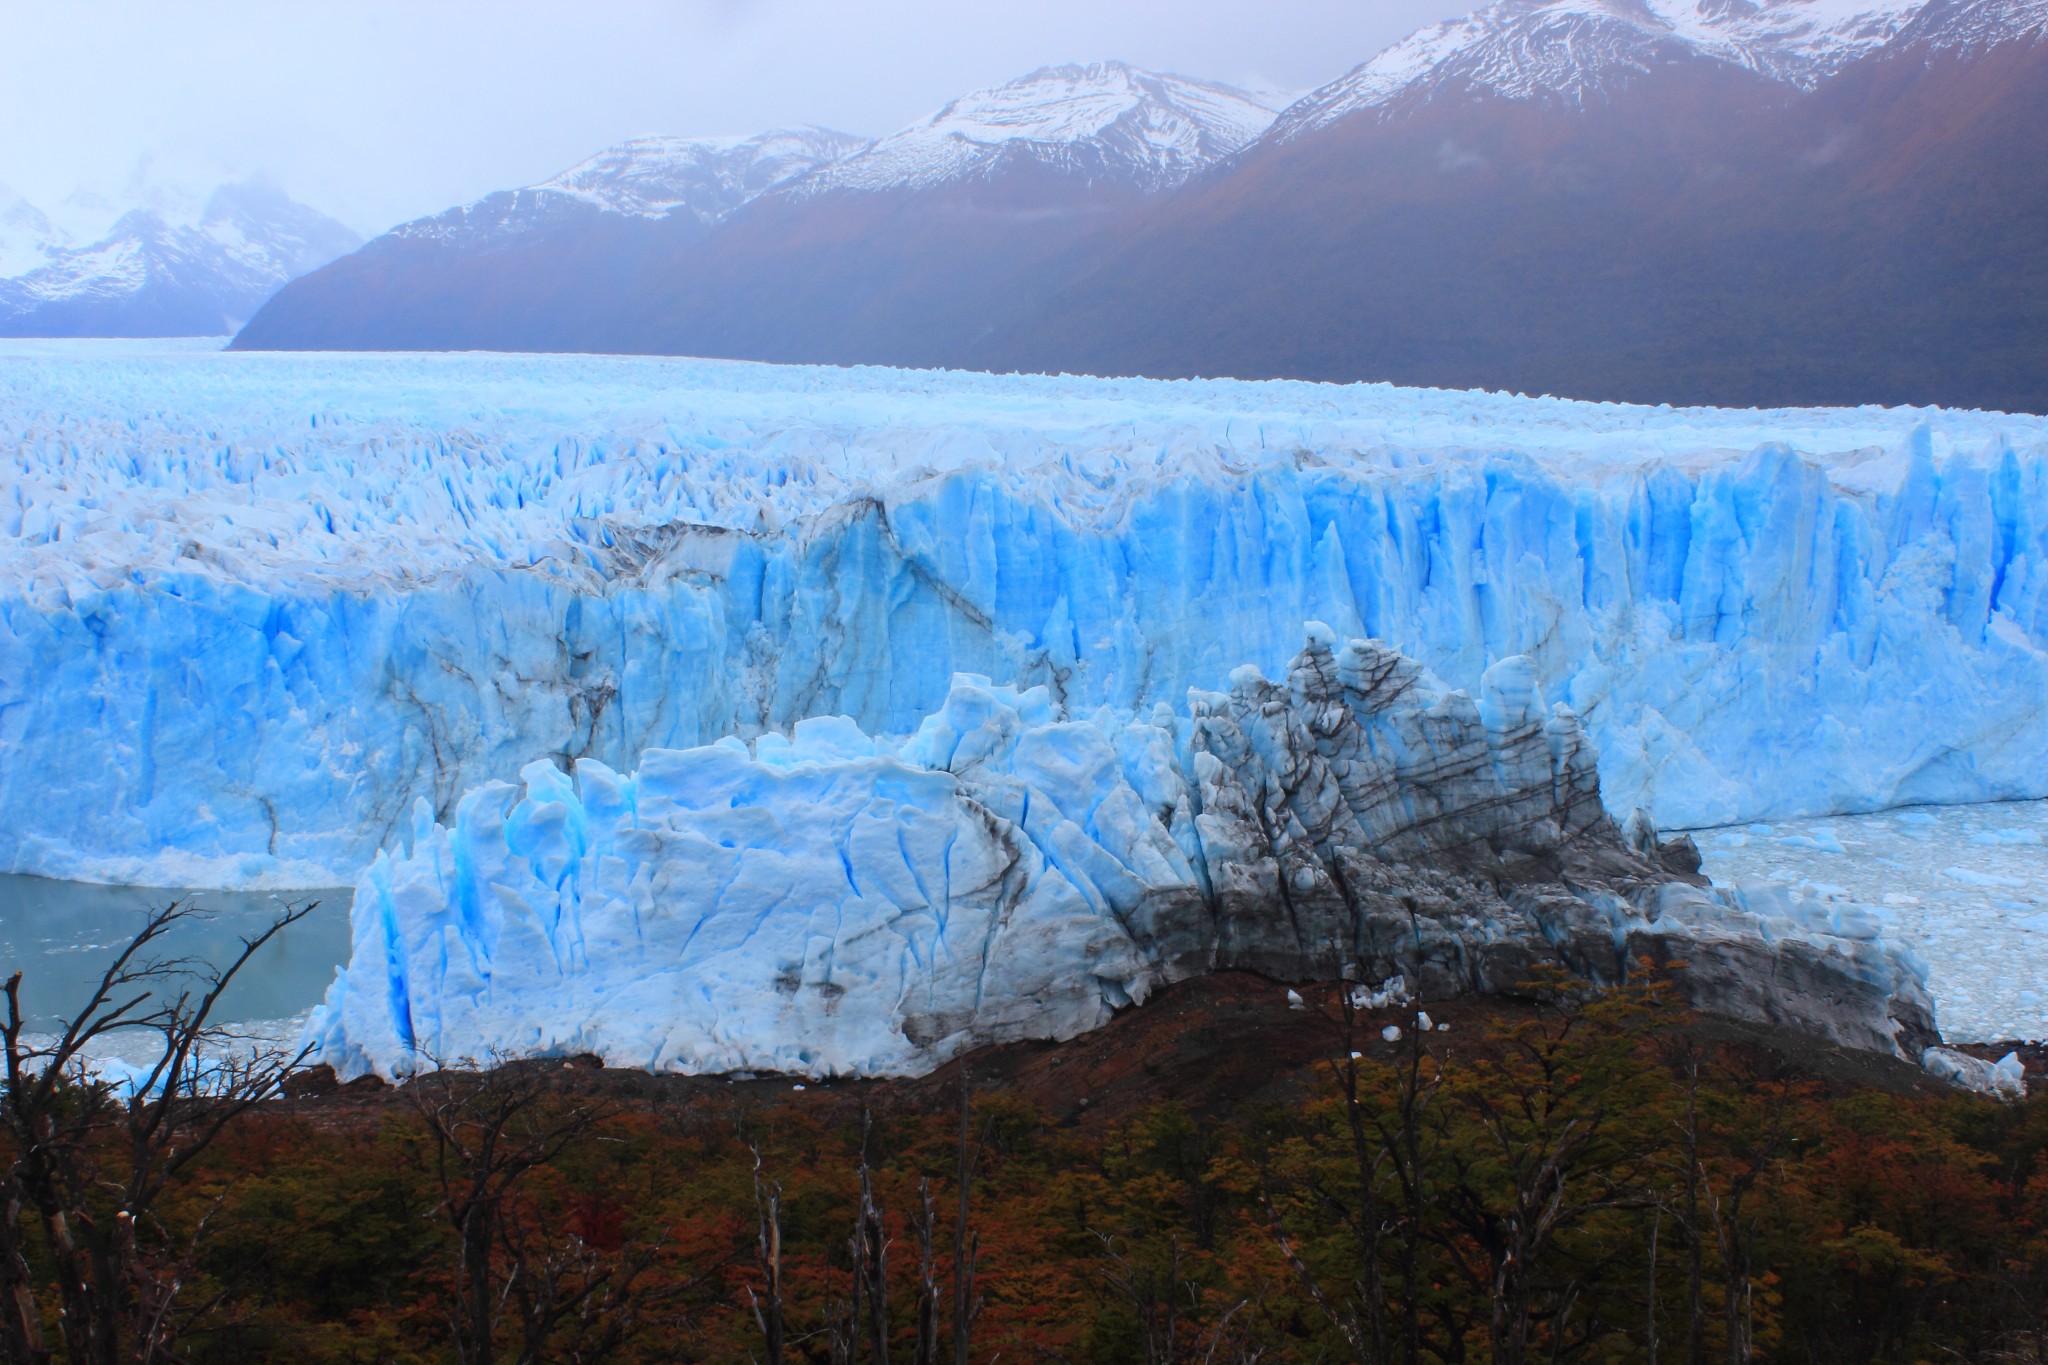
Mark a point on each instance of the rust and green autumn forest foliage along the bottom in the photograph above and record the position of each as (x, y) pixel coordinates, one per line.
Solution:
(1590, 1178)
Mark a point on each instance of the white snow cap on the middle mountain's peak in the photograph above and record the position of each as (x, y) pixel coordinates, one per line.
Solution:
(1097, 122)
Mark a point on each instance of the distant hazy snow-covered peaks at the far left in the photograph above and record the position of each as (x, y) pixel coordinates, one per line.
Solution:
(151, 275)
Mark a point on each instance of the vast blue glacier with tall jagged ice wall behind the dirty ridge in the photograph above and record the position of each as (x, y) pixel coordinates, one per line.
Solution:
(255, 607)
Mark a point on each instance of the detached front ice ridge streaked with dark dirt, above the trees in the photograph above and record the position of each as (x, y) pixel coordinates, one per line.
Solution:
(830, 906)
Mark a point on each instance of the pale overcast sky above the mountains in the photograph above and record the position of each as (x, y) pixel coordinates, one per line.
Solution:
(382, 112)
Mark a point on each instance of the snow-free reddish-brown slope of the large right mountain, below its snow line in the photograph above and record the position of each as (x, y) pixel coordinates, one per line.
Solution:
(1693, 240)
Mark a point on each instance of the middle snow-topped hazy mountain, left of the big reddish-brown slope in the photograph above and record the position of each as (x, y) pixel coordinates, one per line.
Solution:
(648, 245)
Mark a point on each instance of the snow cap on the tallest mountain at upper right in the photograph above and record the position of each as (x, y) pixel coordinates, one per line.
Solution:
(1582, 50)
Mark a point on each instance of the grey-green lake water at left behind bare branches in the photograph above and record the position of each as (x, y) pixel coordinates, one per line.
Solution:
(65, 934)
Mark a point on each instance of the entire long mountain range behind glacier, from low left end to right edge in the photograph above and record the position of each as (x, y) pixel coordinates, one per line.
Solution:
(1719, 202)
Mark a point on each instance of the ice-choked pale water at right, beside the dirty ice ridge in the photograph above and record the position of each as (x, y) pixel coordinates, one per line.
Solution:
(1961, 887)
